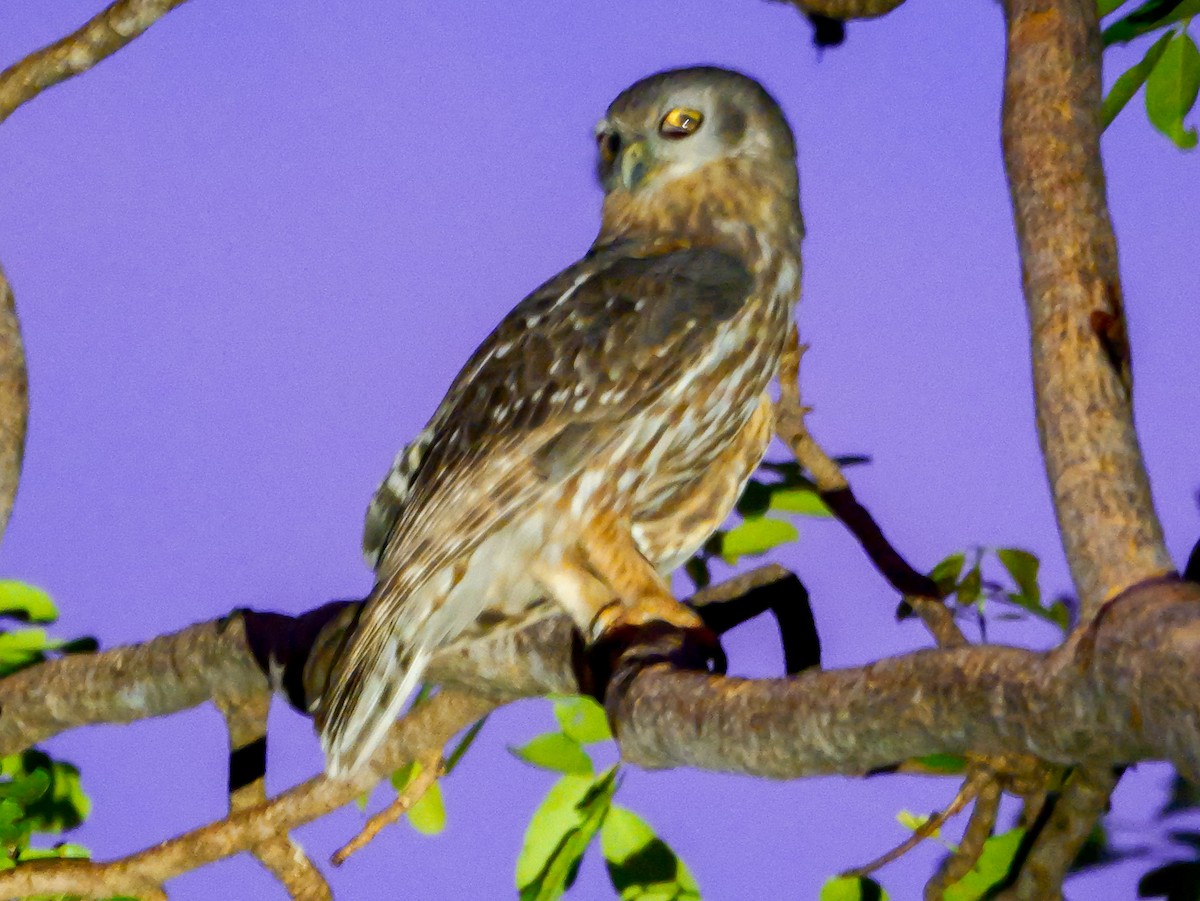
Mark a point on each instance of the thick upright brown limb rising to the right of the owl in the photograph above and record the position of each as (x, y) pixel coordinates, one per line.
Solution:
(1052, 134)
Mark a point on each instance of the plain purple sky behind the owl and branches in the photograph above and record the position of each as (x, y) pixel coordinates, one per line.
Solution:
(251, 250)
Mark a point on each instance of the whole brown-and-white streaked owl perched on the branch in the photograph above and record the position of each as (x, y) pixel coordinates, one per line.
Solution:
(608, 425)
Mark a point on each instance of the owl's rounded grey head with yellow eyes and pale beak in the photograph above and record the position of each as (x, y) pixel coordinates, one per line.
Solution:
(671, 125)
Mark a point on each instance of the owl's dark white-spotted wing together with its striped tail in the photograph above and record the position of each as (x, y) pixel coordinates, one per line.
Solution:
(563, 376)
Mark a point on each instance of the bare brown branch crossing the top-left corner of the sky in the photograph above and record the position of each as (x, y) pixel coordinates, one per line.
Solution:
(98, 39)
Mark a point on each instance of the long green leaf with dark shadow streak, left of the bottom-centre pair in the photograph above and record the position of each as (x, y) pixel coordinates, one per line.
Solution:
(560, 832)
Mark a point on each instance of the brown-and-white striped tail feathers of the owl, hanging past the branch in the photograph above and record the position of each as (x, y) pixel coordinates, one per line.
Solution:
(368, 688)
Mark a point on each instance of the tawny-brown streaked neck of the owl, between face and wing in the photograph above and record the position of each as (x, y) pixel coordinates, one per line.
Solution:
(727, 205)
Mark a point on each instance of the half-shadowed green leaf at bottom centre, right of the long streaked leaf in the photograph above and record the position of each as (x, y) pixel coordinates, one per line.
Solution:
(641, 866)
